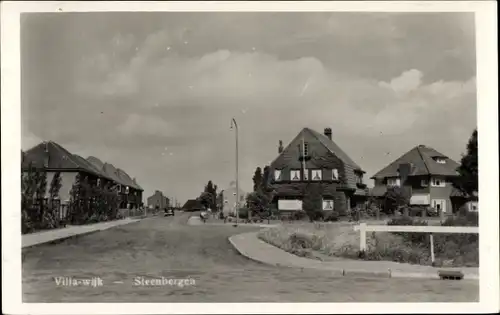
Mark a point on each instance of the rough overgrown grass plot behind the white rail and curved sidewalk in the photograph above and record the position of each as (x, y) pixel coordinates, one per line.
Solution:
(329, 241)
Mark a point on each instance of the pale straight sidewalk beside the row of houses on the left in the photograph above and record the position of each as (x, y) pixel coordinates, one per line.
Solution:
(37, 238)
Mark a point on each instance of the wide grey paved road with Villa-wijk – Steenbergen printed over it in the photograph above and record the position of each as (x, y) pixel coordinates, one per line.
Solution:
(166, 246)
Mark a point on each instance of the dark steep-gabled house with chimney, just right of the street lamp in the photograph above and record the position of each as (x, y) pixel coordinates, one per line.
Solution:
(315, 157)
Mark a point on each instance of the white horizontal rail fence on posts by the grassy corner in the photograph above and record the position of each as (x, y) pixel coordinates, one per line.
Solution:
(363, 228)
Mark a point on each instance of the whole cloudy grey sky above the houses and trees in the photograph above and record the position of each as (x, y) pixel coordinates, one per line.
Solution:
(154, 93)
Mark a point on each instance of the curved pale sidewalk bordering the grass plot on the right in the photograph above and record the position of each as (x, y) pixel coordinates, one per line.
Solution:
(250, 246)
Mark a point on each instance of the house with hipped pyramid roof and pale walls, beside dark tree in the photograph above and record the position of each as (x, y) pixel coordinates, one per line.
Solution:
(426, 175)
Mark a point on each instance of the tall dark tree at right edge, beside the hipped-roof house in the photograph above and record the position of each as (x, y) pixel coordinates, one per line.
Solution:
(468, 179)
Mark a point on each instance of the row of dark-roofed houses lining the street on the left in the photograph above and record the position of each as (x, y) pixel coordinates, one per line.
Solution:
(52, 158)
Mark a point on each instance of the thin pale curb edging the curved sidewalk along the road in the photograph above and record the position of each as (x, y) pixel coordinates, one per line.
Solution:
(354, 273)
